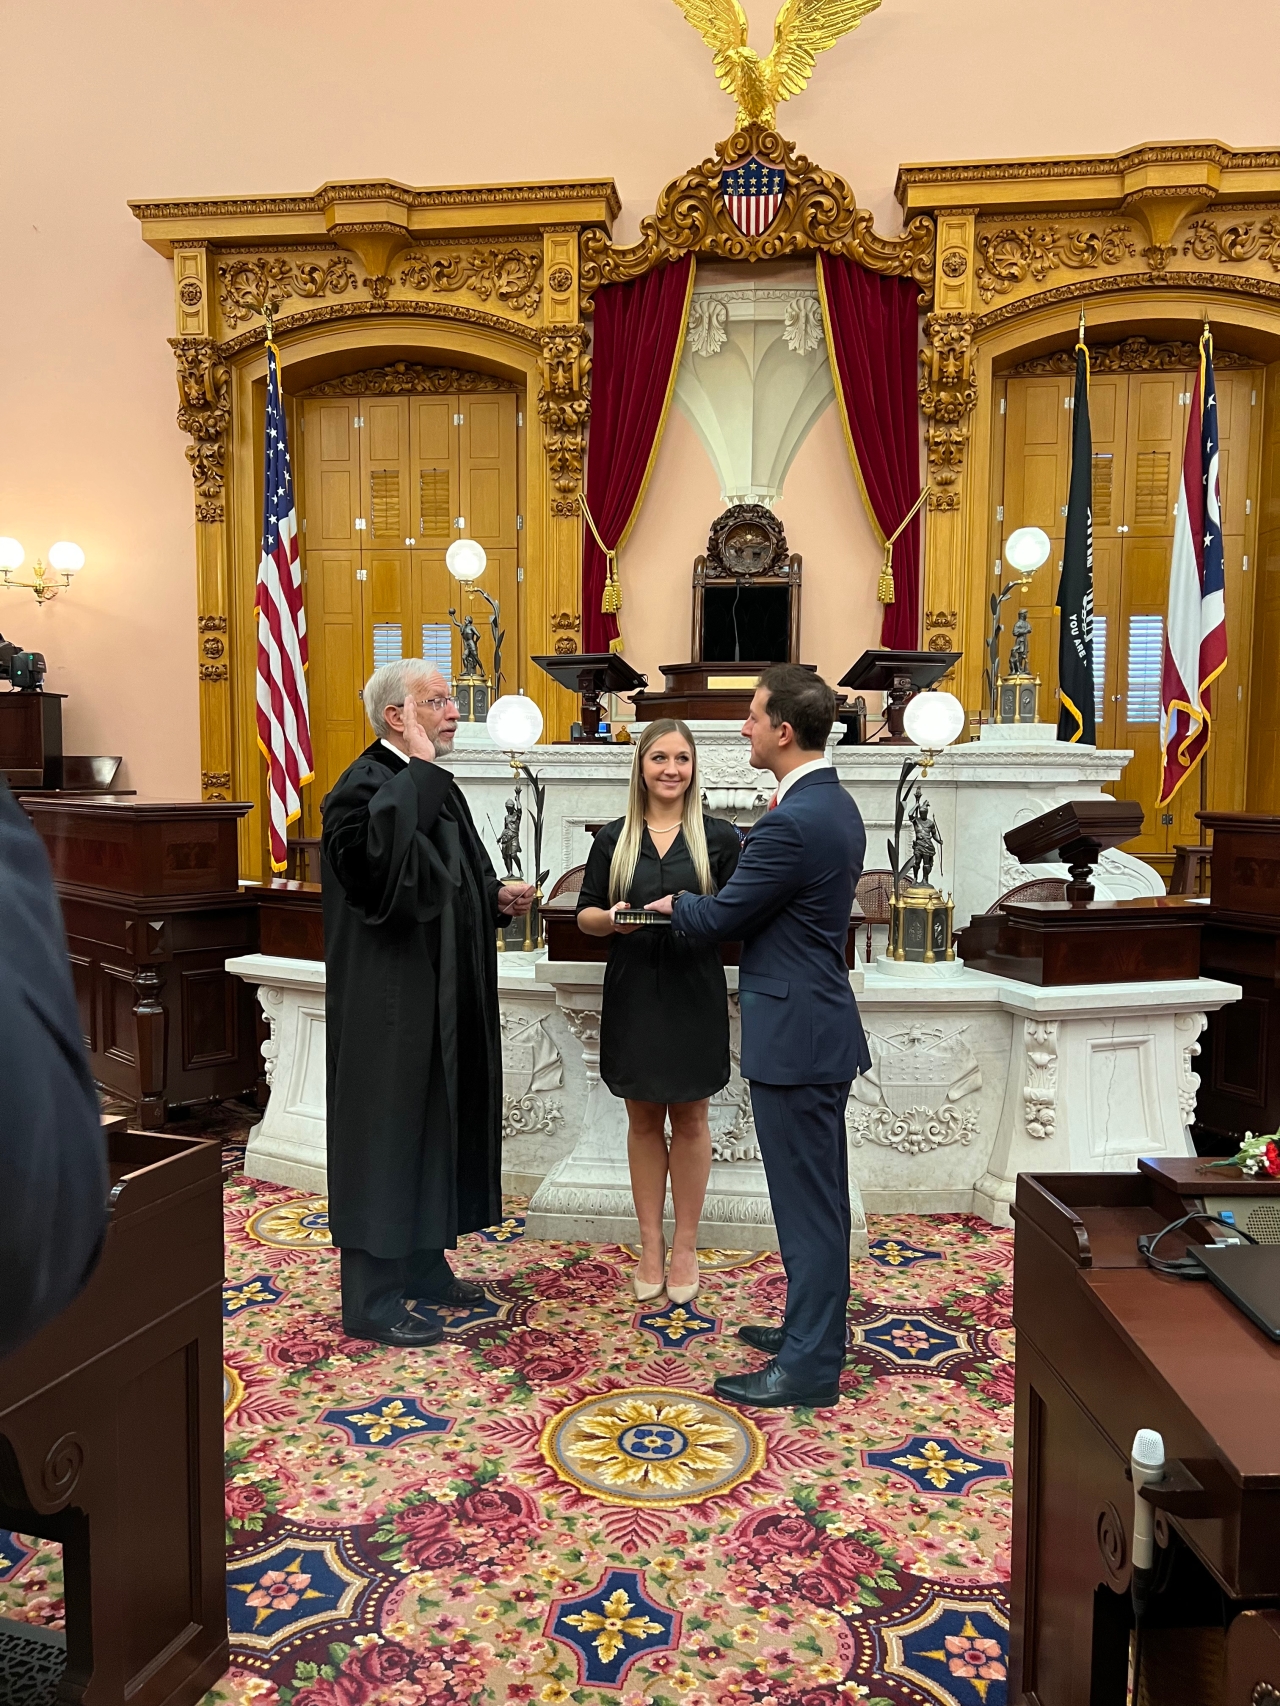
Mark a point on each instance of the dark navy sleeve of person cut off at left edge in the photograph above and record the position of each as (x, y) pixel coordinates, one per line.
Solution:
(54, 1180)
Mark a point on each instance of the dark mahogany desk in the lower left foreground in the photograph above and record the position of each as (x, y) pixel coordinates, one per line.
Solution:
(112, 1437)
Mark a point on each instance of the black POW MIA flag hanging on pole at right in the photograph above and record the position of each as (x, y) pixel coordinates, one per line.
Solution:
(1076, 589)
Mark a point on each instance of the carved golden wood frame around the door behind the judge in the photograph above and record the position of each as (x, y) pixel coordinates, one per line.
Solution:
(356, 276)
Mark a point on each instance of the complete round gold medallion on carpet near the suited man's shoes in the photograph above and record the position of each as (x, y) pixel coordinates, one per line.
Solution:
(653, 1448)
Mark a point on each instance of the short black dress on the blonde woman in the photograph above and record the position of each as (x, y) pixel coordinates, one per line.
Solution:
(665, 1018)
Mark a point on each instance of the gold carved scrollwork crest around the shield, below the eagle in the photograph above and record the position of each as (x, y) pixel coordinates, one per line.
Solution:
(818, 212)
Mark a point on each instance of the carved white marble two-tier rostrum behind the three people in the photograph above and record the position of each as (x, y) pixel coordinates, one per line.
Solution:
(975, 1079)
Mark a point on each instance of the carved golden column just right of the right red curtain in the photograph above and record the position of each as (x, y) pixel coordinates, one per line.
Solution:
(948, 397)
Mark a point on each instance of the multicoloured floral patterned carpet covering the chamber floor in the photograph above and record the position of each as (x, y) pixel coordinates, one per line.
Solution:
(550, 1506)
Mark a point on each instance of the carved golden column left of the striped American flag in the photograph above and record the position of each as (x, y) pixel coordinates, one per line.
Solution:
(204, 414)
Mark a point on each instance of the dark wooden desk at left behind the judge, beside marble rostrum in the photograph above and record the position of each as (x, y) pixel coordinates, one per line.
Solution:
(153, 908)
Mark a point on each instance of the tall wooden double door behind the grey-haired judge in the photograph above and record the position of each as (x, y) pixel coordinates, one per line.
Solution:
(388, 484)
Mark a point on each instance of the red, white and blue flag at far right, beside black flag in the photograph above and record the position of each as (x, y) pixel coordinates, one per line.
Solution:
(1196, 632)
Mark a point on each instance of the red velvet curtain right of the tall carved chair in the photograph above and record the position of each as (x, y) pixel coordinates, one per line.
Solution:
(875, 332)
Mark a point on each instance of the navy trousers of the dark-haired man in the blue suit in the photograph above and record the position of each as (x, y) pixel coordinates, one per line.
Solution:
(803, 1144)
